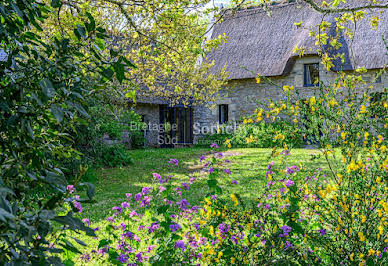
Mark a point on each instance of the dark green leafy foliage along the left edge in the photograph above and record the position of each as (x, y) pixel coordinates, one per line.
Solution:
(43, 86)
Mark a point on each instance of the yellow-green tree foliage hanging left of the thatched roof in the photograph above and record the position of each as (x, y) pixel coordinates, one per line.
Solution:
(164, 39)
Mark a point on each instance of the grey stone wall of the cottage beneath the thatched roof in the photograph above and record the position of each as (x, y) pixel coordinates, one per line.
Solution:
(242, 96)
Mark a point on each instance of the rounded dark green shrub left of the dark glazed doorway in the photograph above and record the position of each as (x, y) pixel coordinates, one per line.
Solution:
(112, 121)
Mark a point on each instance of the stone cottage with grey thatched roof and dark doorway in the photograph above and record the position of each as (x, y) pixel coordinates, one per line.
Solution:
(264, 45)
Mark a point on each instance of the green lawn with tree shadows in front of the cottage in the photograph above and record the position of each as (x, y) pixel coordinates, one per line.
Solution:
(248, 167)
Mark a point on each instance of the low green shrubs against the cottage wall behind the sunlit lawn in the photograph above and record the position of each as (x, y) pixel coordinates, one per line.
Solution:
(258, 134)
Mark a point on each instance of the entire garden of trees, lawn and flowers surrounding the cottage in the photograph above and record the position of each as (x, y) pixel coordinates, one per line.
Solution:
(69, 195)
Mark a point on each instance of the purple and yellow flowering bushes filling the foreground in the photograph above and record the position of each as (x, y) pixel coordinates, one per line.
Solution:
(332, 215)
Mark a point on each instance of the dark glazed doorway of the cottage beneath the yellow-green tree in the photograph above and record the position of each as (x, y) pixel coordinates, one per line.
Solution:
(177, 126)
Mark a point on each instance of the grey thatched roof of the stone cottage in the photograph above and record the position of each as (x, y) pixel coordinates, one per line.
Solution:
(262, 44)
